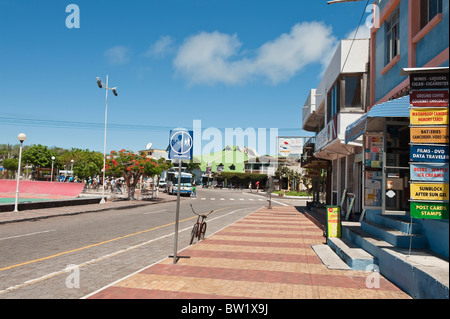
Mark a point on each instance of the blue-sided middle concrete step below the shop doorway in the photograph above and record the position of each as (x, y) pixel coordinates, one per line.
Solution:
(393, 236)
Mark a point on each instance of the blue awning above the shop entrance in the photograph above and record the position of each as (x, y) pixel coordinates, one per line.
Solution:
(394, 108)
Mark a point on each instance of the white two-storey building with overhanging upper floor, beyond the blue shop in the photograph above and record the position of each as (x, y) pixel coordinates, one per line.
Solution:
(341, 98)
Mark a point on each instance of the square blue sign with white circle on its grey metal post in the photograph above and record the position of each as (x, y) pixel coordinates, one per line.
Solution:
(180, 147)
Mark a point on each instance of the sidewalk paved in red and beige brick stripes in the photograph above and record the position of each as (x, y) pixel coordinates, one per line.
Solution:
(266, 255)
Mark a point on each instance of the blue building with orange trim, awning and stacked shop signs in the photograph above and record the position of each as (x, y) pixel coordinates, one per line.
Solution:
(412, 37)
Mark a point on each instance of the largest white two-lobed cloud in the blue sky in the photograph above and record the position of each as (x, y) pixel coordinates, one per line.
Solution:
(208, 58)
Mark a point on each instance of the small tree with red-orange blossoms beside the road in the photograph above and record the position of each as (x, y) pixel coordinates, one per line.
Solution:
(131, 167)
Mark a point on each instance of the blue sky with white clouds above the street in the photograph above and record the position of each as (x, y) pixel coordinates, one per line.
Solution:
(229, 63)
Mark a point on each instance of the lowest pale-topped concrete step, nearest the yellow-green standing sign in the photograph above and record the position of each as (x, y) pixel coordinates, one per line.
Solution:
(354, 256)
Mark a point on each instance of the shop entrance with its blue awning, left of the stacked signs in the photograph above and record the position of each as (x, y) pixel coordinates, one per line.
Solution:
(385, 169)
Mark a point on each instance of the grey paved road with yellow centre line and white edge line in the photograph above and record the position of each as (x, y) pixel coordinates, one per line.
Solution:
(71, 256)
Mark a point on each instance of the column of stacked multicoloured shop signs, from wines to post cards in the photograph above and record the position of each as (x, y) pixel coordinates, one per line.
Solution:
(429, 151)
